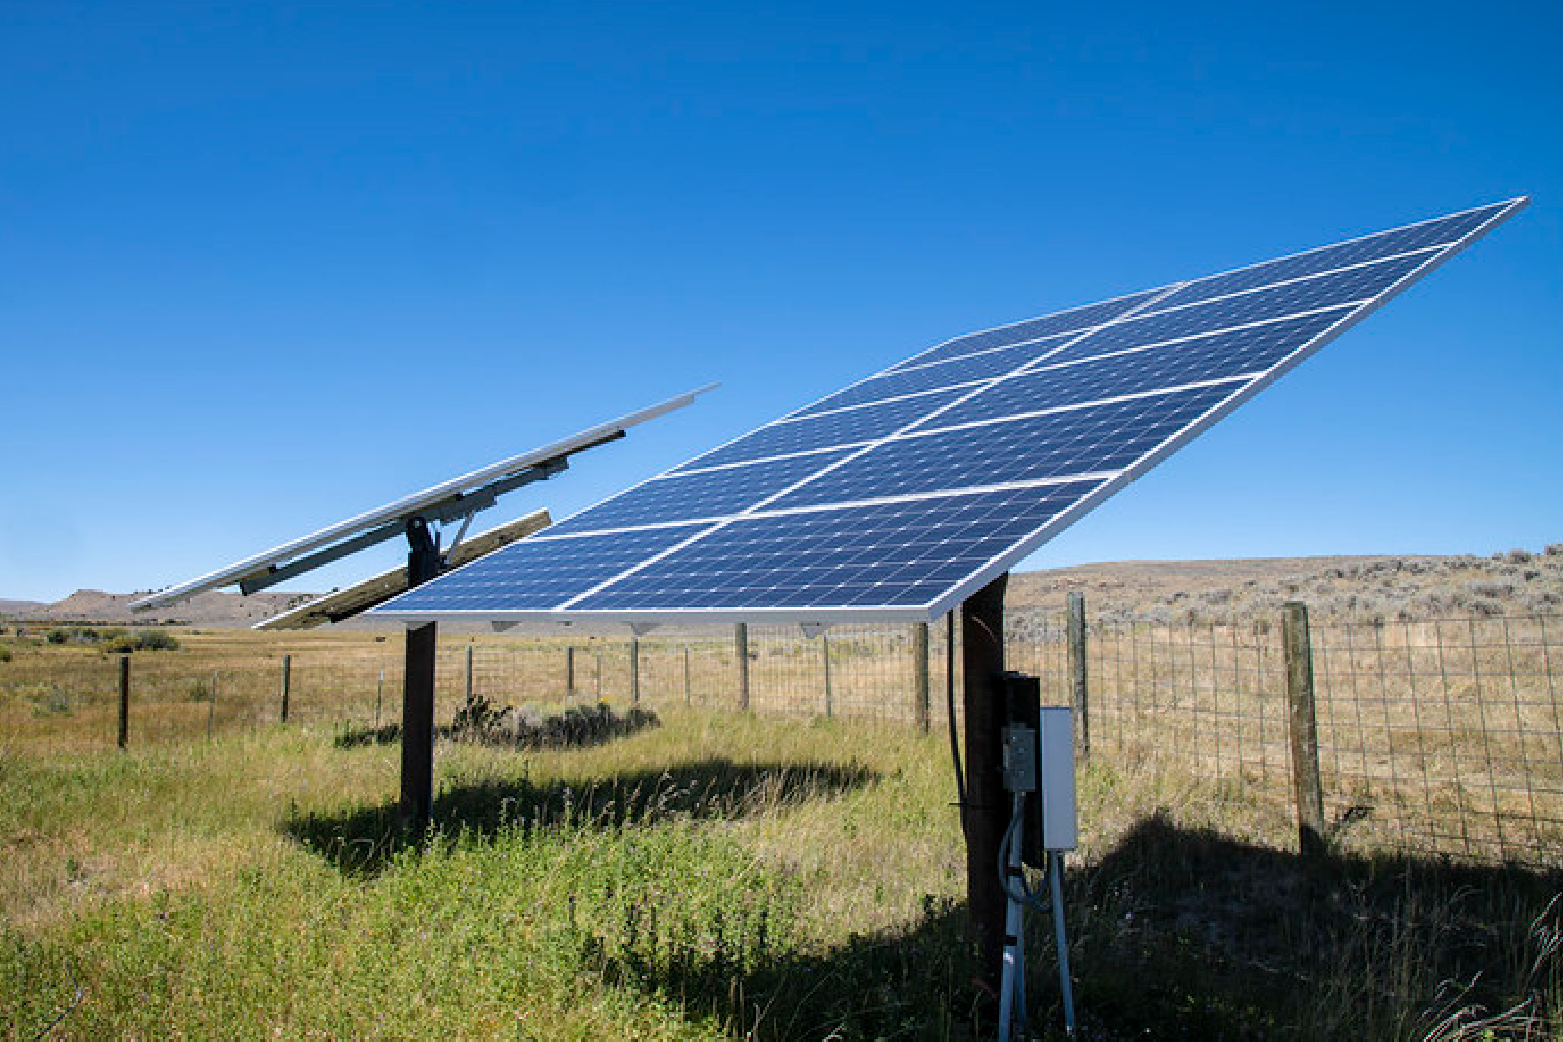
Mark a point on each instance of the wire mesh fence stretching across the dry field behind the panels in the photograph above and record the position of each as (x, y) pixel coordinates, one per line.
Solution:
(1436, 737)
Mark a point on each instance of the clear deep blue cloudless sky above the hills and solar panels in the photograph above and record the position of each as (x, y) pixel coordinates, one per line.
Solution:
(265, 266)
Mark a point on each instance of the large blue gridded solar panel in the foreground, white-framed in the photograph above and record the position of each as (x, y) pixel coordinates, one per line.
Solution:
(900, 496)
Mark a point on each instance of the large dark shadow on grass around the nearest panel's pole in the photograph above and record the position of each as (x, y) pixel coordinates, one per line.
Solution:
(1178, 935)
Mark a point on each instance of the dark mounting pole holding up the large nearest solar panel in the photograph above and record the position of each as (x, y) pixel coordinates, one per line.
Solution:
(987, 810)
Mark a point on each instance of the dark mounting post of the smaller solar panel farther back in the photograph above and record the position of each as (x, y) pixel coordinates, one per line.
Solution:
(418, 688)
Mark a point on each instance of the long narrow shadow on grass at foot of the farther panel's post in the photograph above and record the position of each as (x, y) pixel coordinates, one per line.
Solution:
(363, 841)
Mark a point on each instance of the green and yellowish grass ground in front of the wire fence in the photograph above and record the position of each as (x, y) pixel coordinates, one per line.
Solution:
(720, 876)
